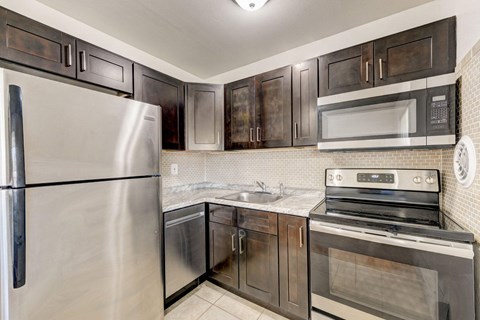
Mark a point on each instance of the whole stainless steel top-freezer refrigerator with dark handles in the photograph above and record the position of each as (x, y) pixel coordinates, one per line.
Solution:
(80, 222)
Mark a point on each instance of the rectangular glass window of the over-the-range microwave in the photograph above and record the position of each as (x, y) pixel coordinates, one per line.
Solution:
(383, 119)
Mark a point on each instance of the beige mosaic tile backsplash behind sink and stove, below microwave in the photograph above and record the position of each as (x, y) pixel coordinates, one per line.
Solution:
(305, 168)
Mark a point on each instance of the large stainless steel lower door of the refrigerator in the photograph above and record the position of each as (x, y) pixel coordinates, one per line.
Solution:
(93, 252)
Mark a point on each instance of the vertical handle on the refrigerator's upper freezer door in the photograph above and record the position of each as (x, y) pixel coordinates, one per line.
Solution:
(17, 156)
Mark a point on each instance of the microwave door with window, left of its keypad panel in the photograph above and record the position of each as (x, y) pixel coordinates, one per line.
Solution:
(394, 120)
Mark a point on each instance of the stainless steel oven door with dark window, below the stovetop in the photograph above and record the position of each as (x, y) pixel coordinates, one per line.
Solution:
(368, 274)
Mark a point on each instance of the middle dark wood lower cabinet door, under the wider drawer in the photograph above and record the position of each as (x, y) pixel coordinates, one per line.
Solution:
(259, 265)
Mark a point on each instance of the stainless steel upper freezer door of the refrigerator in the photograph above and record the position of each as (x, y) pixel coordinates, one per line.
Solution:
(72, 134)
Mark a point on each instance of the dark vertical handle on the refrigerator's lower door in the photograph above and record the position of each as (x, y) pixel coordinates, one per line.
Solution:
(19, 238)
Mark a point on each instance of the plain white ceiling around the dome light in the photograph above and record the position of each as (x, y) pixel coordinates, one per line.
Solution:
(210, 37)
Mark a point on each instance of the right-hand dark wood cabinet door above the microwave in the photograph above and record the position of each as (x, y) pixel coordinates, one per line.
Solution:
(417, 53)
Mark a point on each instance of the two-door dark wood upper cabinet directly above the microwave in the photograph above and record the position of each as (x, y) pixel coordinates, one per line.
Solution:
(417, 53)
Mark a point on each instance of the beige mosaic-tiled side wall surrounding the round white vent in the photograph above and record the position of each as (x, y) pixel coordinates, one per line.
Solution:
(464, 203)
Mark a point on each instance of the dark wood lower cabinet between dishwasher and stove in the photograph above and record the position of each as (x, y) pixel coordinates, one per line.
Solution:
(268, 264)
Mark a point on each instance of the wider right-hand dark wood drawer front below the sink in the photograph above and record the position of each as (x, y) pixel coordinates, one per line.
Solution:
(260, 221)
